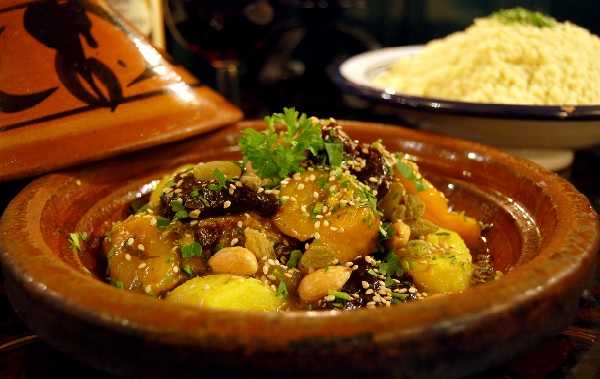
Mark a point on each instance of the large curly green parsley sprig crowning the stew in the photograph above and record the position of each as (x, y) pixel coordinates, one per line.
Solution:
(276, 154)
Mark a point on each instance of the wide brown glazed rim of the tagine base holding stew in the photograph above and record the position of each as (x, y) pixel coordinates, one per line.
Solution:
(562, 266)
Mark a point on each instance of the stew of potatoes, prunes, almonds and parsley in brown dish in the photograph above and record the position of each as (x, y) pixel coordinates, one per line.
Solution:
(309, 219)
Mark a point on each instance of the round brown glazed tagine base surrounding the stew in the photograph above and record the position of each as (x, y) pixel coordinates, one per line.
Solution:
(544, 238)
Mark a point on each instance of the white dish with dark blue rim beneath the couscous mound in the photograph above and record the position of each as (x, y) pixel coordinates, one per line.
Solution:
(554, 129)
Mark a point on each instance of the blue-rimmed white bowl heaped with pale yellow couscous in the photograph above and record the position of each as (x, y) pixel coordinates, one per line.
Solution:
(516, 79)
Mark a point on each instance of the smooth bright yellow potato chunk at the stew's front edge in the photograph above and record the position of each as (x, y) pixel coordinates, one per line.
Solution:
(226, 292)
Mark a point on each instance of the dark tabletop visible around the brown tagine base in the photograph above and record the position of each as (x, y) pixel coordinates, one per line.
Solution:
(574, 353)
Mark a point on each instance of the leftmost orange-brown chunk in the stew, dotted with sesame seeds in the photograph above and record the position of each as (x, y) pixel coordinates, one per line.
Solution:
(141, 258)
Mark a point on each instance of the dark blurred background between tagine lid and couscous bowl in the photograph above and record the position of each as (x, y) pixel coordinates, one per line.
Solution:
(266, 54)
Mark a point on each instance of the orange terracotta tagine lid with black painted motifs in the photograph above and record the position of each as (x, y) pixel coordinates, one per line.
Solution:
(78, 84)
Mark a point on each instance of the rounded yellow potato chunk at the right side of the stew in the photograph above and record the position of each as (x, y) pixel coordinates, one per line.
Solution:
(439, 264)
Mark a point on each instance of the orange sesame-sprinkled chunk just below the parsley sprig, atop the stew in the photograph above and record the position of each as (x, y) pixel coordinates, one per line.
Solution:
(331, 208)
